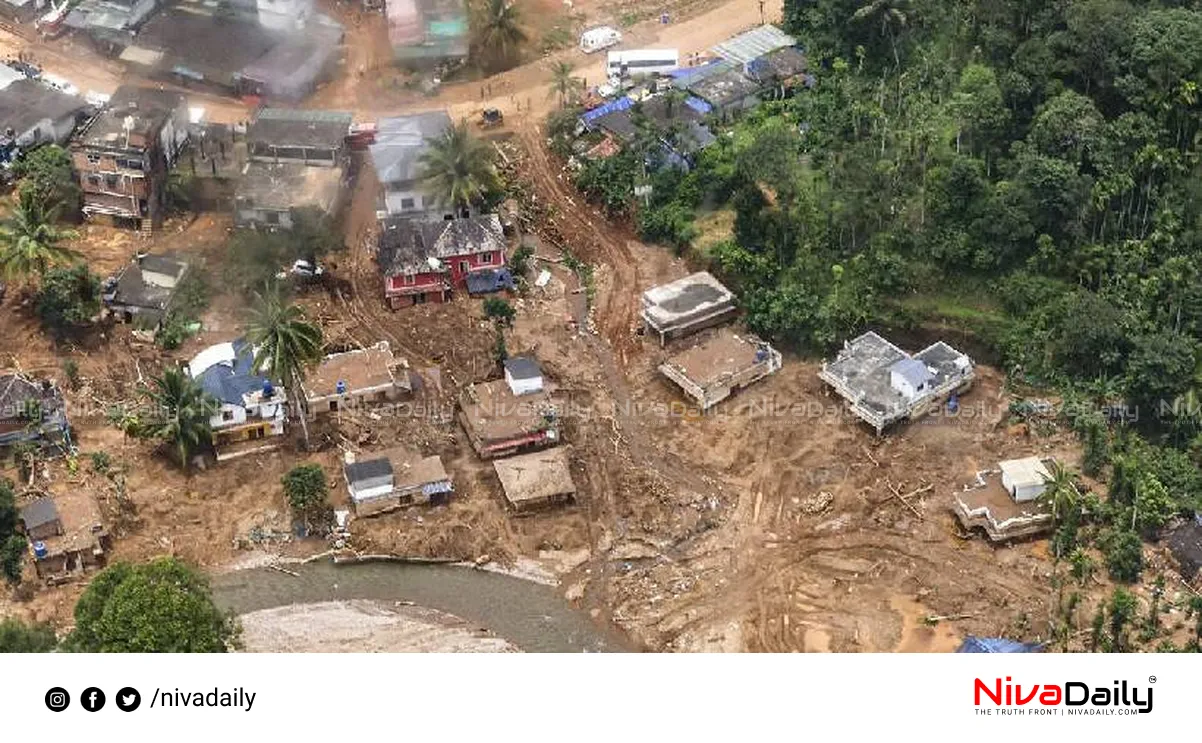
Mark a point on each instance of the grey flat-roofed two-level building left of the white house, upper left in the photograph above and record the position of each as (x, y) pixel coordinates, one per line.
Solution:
(299, 161)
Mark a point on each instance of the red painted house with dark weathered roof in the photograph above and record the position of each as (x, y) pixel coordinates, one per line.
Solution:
(425, 261)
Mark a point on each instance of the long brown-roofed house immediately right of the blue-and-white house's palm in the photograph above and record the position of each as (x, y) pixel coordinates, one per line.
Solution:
(356, 379)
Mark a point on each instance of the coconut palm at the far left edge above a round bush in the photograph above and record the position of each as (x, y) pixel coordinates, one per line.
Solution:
(31, 243)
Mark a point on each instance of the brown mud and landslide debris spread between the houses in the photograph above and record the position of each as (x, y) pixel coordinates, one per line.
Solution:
(767, 525)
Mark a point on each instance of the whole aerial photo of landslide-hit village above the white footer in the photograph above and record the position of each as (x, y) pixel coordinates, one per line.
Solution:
(581, 325)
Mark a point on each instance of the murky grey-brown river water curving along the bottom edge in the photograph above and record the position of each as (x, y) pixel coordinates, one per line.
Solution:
(534, 617)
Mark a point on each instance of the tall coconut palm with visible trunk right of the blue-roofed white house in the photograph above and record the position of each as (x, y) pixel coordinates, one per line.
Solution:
(285, 342)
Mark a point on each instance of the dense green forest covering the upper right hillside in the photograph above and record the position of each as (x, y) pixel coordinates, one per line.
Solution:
(1025, 170)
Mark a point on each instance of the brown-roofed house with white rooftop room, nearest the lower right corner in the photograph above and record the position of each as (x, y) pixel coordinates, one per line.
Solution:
(1005, 503)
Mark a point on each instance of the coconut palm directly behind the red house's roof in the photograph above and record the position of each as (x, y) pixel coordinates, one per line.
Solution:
(457, 169)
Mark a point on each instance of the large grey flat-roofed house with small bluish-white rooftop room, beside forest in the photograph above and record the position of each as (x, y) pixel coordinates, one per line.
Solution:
(885, 385)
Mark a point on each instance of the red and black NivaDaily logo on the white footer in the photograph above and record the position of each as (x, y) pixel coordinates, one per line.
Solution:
(1070, 698)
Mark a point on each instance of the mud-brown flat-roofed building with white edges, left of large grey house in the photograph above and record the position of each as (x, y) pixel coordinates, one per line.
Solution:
(715, 370)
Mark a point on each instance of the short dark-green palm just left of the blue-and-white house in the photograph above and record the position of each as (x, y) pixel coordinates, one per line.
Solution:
(181, 417)
